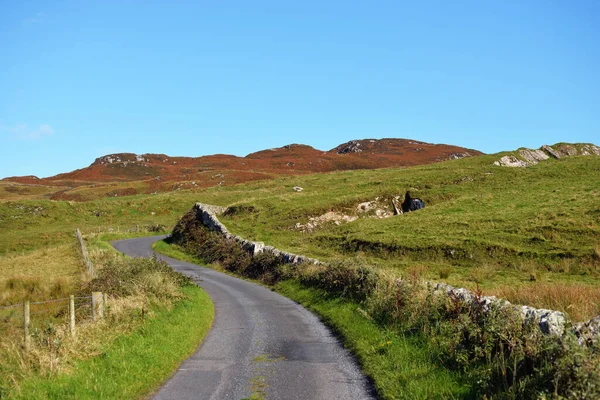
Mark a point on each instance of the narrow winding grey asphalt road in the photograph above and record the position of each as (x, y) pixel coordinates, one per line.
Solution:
(261, 344)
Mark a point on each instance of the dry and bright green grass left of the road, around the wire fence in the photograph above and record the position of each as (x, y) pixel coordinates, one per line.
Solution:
(155, 319)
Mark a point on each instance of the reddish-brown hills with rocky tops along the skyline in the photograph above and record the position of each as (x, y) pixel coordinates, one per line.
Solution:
(127, 173)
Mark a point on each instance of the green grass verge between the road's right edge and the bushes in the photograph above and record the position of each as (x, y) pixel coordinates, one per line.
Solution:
(400, 367)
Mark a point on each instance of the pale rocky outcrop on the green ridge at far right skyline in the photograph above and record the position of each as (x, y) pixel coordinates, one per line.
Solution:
(530, 157)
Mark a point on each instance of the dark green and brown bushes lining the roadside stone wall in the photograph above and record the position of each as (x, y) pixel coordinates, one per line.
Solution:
(501, 356)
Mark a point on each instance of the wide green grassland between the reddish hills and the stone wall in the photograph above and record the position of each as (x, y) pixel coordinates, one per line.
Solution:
(524, 233)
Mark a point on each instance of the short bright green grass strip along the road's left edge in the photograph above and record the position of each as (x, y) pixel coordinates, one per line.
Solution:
(134, 365)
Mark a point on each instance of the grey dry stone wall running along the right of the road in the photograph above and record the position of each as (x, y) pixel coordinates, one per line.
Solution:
(549, 322)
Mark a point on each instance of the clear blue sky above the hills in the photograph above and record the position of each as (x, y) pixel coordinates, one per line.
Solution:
(79, 80)
